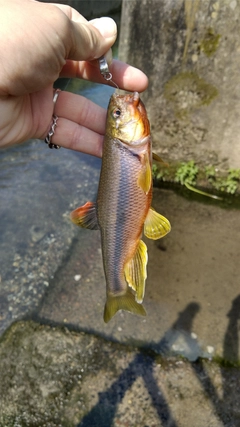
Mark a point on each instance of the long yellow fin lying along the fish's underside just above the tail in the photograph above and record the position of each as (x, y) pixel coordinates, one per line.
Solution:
(136, 271)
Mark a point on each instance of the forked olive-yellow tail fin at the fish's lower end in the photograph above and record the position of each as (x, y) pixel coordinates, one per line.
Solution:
(122, 302)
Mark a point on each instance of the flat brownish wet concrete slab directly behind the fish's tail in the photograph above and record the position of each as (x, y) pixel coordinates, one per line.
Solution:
(192, 292)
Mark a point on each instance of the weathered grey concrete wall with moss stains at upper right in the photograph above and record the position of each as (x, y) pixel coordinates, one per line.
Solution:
(190, 52)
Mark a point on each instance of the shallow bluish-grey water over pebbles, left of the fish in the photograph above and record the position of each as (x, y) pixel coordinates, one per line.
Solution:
(38, 189)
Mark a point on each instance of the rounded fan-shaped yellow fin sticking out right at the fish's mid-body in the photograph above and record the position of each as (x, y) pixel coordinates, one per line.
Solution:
(156, 225)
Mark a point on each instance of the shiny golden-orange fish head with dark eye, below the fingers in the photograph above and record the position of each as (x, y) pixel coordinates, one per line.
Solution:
(127, 119)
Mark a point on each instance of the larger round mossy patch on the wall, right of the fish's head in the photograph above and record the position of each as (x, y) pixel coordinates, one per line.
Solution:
(187, 91)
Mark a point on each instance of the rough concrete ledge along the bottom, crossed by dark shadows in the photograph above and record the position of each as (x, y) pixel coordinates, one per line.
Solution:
(51, 377)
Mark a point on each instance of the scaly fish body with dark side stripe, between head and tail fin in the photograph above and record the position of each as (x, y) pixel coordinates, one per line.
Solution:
(122, 207)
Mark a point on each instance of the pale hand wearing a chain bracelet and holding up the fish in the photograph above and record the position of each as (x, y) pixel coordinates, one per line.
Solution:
(39, 43)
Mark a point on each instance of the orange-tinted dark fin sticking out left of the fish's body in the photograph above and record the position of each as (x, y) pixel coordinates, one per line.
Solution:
(86, 216)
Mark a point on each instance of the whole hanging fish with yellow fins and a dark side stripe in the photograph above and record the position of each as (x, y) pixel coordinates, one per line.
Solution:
(122, 210)
